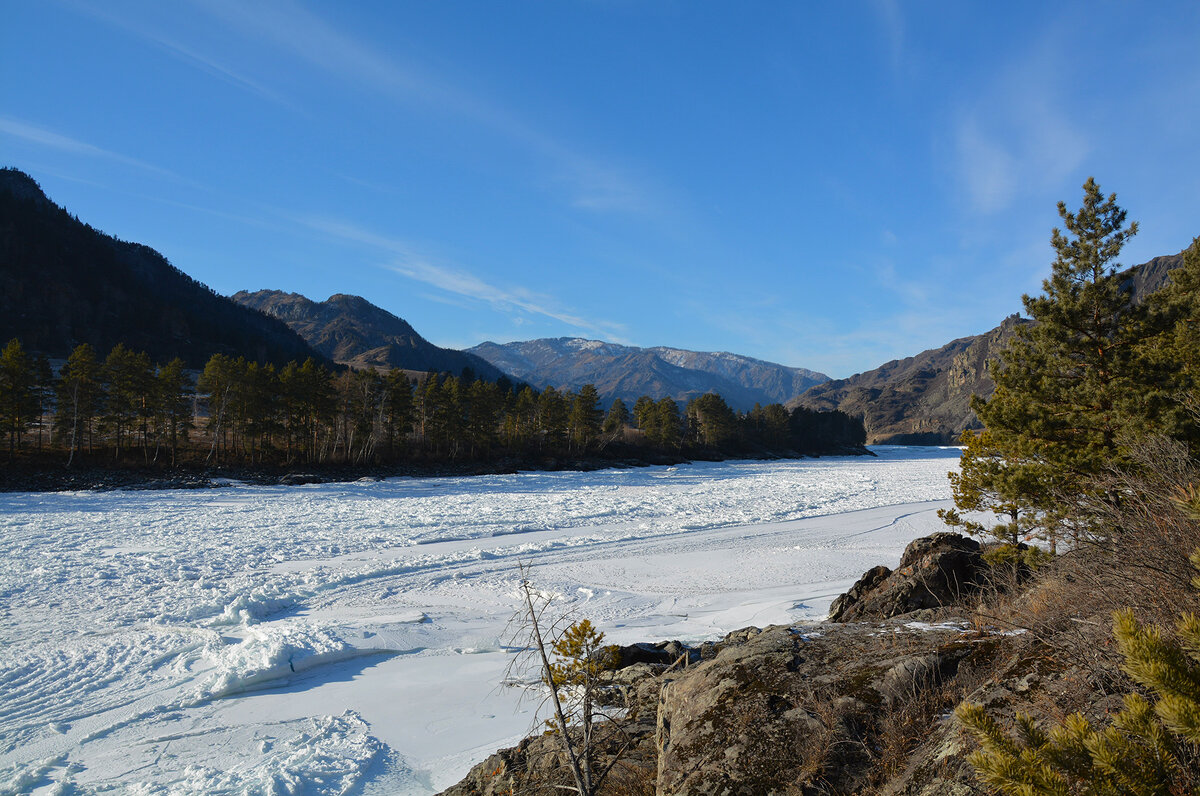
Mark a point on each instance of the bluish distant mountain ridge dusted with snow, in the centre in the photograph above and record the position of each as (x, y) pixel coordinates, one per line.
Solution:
(628, 372)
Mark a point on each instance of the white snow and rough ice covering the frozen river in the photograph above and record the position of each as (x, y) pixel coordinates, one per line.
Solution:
(351, 638)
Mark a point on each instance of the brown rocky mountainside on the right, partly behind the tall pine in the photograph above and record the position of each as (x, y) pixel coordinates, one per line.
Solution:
(927, 399)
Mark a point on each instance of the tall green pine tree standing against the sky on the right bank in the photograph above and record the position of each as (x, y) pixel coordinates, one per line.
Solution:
(1072, 386)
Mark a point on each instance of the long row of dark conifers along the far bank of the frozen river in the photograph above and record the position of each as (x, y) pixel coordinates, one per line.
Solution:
(125, 409)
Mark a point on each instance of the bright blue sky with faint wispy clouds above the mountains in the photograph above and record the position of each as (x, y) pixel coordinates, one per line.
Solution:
(824, 185)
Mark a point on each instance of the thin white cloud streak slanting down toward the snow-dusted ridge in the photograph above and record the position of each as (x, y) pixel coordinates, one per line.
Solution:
(412, 265)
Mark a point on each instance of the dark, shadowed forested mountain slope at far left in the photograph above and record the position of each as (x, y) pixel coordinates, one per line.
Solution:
(64, 283)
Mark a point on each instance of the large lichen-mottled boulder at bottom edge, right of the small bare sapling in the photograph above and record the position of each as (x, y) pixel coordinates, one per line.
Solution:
(800, 710)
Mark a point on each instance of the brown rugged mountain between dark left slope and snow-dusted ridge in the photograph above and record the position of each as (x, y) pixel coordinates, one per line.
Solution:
(353, 332)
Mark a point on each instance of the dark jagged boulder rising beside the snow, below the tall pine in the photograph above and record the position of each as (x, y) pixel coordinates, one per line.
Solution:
(935, 572)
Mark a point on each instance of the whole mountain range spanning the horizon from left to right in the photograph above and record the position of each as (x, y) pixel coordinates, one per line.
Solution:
(64, 283)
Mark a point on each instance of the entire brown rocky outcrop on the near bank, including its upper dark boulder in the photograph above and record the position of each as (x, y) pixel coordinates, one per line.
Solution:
(853, 708)
